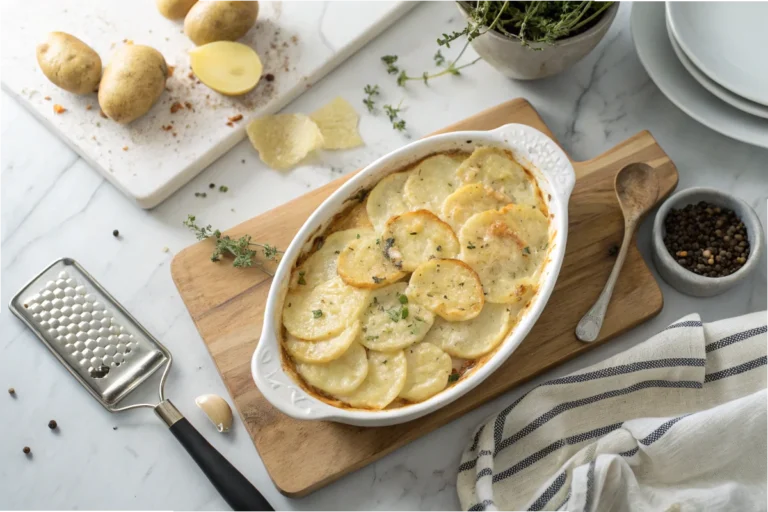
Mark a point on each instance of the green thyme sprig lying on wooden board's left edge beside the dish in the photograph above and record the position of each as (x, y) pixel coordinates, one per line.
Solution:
(241, 249)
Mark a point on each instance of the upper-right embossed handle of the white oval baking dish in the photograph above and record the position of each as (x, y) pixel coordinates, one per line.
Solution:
(544, 153)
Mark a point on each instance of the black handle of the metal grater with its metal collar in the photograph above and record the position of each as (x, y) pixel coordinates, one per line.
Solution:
(236, 490)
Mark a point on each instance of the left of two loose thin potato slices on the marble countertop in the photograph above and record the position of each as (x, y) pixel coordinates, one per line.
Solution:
(284, 140)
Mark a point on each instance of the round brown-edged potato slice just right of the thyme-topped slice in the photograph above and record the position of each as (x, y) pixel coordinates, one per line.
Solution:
(449, 288)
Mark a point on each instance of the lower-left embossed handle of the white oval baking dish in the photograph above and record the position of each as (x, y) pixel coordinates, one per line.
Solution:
(278, 387)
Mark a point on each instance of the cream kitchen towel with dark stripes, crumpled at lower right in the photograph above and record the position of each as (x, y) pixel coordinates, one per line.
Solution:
(677, 423)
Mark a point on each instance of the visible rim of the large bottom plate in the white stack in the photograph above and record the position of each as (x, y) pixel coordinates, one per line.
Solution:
(657, 55)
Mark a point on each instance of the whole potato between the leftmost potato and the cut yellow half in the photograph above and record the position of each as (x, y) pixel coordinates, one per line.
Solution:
(133, 81)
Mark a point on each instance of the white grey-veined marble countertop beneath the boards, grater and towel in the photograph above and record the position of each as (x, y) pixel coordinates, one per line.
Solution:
(52, 204)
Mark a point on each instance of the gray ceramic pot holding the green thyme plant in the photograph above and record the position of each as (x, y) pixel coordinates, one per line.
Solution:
(538, 60)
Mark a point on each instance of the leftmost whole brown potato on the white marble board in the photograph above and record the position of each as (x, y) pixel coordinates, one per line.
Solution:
(69, 63)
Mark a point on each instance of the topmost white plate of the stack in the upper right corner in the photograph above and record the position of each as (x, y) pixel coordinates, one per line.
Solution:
(727, 40)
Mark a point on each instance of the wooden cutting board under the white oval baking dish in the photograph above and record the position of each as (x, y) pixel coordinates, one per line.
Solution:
(227, 306)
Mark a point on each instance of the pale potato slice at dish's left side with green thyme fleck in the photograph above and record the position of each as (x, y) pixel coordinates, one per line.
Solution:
(324, 311)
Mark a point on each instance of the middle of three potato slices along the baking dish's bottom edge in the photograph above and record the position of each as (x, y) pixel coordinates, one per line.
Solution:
(386, 377)
